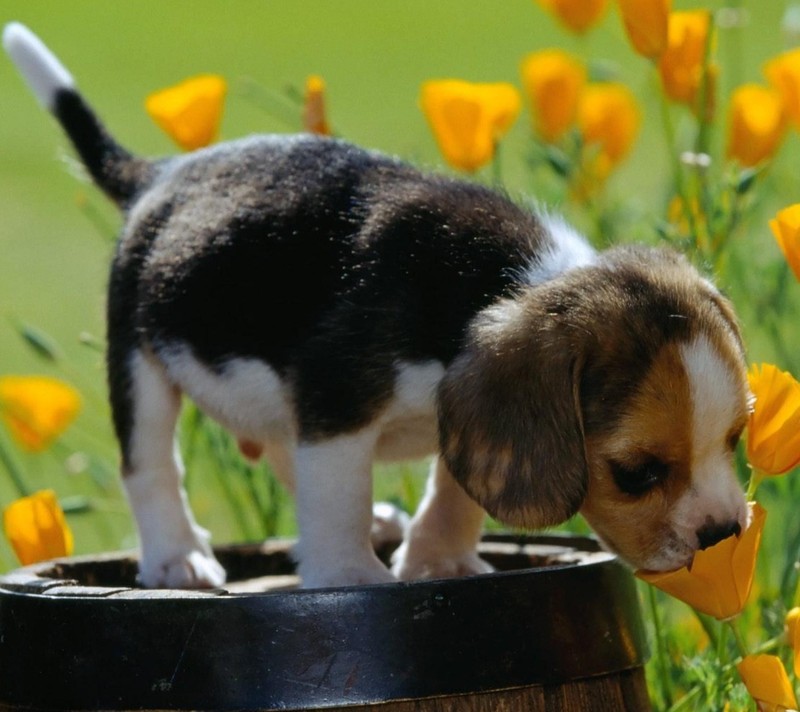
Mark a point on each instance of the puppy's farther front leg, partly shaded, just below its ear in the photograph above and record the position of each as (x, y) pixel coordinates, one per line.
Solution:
(443, 536)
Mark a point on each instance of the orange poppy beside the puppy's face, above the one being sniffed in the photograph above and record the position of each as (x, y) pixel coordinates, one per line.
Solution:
(773, 431)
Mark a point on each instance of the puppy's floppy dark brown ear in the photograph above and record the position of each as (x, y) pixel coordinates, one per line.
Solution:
(510, 424)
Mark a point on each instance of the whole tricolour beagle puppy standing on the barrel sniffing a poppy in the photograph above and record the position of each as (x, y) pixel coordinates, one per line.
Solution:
(332, 306)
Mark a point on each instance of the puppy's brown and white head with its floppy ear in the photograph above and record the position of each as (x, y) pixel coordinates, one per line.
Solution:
(618, 390)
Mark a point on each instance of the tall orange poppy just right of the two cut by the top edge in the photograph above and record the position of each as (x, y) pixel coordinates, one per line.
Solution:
(681, 64)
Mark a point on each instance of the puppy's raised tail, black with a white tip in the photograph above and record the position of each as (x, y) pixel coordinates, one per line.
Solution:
(120, 174)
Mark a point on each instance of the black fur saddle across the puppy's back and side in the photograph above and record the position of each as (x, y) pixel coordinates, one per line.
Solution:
(329, 263)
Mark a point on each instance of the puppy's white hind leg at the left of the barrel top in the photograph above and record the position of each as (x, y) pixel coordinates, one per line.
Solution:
(175, 550)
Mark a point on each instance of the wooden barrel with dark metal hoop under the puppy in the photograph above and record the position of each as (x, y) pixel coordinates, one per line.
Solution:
(558, 627)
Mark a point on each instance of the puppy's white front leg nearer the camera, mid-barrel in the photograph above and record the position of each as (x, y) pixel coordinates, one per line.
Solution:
(333, 480)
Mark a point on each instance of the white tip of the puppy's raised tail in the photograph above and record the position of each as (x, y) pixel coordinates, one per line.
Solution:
(37, 64)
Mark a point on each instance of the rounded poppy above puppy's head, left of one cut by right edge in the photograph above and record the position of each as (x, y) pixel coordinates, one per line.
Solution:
(756, 124)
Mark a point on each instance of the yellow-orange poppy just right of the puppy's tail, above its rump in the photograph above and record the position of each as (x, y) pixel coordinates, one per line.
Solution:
(190, 112)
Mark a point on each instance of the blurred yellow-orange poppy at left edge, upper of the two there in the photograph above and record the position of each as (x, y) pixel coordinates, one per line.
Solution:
(37, 409)
